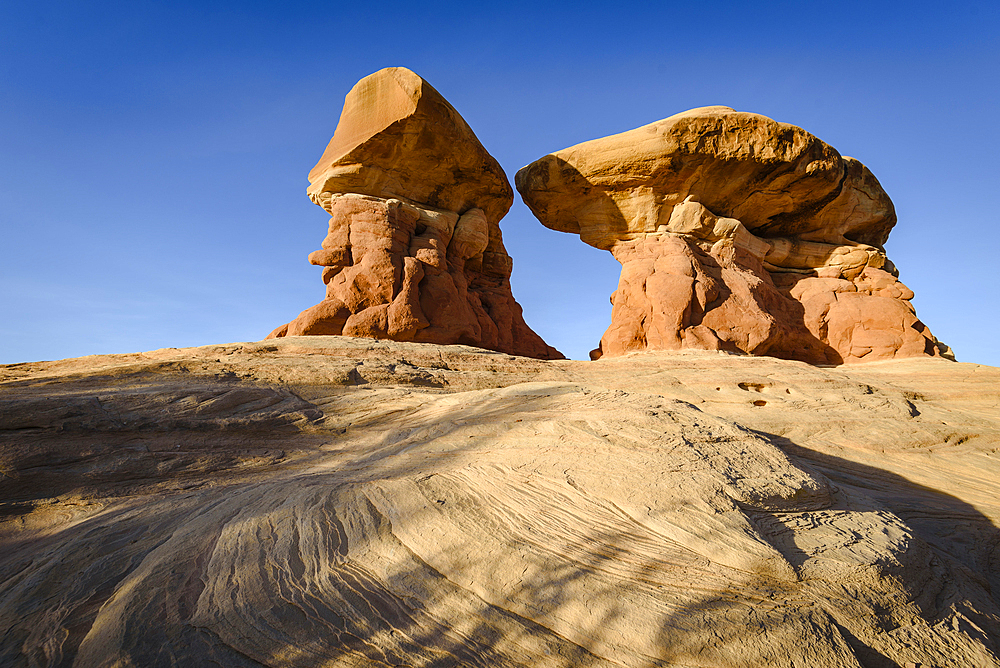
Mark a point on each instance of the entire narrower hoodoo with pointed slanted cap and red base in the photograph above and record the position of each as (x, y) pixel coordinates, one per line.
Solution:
(414, 250)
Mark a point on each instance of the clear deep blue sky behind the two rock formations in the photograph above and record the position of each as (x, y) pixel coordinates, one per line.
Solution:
(153, 155)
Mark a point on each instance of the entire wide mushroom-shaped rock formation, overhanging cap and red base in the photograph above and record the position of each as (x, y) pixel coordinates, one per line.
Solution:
(735, 233)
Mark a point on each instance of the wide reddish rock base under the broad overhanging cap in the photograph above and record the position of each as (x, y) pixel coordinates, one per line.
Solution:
(706, 283)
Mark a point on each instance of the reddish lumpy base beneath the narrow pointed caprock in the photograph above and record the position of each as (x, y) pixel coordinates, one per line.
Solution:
(395, 270)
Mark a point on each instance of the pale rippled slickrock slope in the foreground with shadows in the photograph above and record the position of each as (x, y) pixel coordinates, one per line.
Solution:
(310, 501)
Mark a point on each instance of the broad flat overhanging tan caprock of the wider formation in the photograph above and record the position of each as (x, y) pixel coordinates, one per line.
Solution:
(776, 178)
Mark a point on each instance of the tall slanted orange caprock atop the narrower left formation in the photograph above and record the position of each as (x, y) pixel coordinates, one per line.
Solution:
(398, 137)
